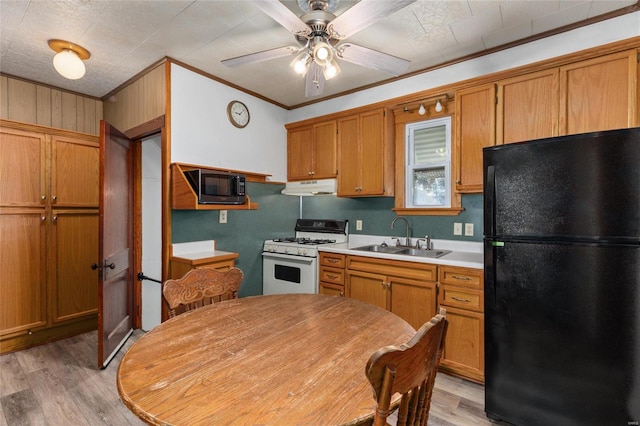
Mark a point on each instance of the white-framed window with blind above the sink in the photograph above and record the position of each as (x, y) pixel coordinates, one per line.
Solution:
(428, 164)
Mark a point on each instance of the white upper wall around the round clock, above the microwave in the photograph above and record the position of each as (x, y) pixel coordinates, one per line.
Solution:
(201, 133)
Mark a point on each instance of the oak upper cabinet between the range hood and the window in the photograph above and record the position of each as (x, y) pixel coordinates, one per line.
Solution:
(365, 155)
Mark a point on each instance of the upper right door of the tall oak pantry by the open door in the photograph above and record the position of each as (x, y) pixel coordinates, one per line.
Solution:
(75, 173)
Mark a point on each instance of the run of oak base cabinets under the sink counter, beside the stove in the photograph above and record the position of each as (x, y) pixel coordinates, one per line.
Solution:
(414, 291)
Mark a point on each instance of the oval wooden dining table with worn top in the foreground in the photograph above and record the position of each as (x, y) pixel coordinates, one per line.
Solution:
(279, 359)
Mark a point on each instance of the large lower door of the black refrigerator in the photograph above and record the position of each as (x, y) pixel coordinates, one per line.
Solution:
(562, 334)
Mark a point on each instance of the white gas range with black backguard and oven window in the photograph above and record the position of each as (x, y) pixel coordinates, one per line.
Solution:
(290, 265)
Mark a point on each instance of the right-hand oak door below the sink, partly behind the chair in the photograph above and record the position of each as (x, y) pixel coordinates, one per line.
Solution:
(413, 301)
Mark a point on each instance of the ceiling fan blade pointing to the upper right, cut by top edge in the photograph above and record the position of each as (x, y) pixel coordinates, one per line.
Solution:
(363, 14)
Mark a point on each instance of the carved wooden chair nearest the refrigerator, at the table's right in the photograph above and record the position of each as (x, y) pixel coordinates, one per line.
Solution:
(409, 369)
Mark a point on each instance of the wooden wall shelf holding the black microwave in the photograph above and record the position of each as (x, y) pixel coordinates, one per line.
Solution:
(183, 197)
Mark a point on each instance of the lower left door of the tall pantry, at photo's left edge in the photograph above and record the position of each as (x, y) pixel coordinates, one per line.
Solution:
(23, 295)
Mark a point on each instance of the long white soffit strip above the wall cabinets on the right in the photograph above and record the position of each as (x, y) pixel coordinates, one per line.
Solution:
(604, 32)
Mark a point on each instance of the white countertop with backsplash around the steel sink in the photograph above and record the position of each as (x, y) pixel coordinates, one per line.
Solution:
(463, 254)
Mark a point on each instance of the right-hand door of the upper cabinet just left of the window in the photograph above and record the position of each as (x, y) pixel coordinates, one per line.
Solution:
(372, 152)
